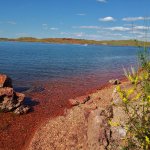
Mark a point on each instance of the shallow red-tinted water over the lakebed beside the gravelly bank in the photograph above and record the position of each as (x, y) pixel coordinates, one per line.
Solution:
(16, 131)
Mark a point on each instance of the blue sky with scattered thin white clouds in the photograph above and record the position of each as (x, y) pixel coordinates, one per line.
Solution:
(81, 19)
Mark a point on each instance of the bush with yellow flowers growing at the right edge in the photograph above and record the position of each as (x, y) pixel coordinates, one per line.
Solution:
(136, 104)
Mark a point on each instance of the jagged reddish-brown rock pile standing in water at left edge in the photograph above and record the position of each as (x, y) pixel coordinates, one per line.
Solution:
(11, 101)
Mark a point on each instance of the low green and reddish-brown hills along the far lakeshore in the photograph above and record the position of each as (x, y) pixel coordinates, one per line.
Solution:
(131, 42)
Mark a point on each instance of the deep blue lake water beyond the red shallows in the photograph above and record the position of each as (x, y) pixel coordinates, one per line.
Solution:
(25, 61)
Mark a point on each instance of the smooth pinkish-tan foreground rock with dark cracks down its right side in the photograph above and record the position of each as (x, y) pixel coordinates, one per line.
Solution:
(98, 131)
